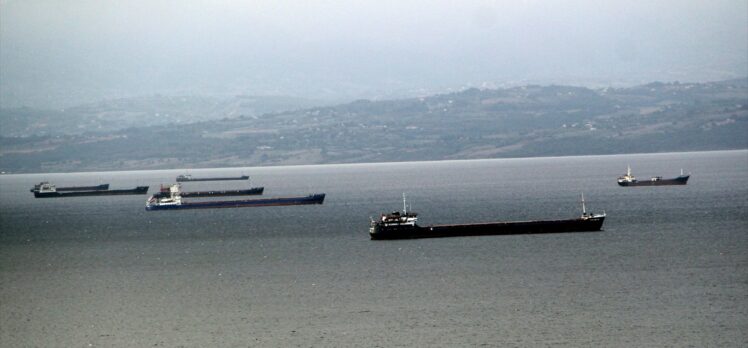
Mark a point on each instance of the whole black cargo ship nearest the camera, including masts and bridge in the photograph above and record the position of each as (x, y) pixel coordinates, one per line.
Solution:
(404, 225)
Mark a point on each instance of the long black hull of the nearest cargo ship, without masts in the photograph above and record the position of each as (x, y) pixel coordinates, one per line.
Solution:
(381, 232)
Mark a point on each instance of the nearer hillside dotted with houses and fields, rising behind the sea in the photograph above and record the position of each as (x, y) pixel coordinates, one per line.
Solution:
(490, 123)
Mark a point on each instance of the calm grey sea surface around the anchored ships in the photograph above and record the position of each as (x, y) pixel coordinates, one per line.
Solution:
(669, 269)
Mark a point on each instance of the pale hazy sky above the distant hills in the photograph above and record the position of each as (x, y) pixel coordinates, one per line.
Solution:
(59, 53)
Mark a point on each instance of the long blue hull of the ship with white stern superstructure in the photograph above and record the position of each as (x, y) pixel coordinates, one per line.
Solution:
(265, 202)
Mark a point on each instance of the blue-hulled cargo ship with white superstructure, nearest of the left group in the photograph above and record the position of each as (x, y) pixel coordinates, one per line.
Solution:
(174, 201)
